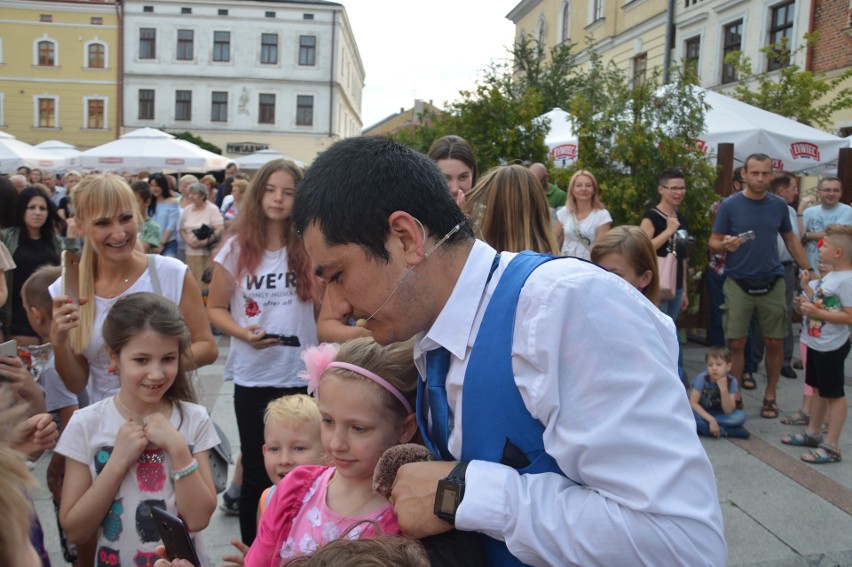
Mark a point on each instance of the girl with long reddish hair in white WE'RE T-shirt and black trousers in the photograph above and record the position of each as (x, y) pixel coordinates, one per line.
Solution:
(263, 294)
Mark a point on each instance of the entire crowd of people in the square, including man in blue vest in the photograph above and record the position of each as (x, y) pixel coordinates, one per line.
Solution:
(405, 299)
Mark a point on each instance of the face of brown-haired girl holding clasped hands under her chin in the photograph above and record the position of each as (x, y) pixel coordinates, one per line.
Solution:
(147, 366)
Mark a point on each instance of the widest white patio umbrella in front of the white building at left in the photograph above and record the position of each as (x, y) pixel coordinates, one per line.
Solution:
(150, 149)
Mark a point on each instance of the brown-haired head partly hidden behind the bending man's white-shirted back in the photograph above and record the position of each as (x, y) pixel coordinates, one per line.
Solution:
(627, 252)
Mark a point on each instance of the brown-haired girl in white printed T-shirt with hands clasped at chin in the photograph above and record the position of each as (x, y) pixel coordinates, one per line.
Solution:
(145, 447)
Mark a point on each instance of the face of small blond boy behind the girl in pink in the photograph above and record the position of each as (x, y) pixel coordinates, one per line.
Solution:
(288, 446)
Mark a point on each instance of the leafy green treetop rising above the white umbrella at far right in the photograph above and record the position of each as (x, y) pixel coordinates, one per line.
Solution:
(789, 90)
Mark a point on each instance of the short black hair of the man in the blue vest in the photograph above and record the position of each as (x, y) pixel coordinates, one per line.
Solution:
(353, 187)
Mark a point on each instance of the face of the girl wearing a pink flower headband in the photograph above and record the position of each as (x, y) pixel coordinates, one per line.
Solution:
(356, 430)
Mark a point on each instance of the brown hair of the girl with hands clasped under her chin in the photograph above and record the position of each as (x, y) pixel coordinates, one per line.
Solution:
(134, 313)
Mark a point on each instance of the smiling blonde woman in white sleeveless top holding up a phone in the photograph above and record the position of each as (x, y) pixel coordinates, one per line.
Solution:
(112, 266)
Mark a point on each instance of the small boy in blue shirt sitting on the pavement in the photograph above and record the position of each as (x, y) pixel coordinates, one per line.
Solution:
(713, 398)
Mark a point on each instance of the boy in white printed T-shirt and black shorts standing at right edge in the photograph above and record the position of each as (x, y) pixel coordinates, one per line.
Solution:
(825, 331)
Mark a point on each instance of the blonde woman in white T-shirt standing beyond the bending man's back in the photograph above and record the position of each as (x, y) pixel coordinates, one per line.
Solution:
(584, 218)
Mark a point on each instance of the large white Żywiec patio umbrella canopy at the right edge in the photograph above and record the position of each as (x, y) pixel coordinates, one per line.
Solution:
(791, 145)
